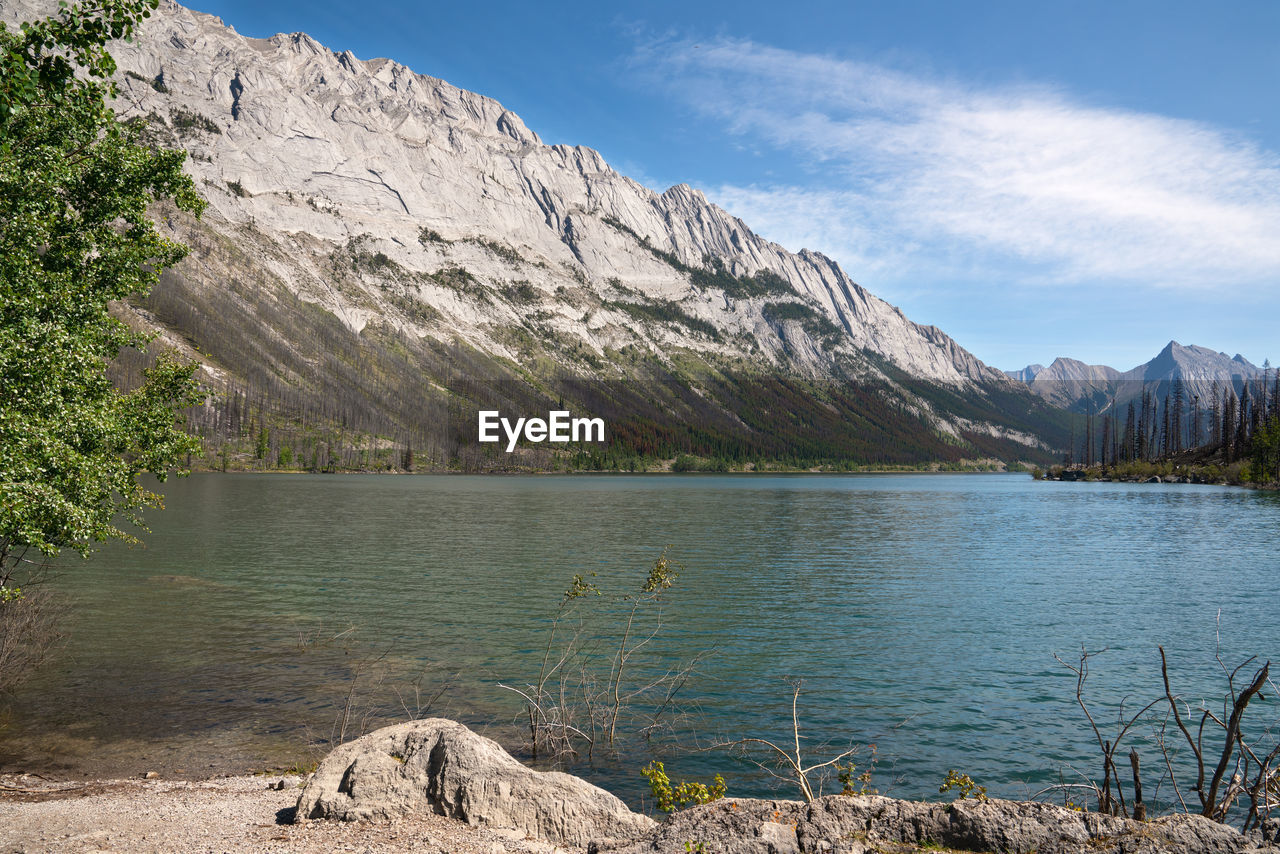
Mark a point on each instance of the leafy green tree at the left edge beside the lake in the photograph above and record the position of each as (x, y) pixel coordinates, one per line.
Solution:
(75, 235)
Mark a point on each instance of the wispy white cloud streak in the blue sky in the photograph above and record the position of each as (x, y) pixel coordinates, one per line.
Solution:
(916, 175)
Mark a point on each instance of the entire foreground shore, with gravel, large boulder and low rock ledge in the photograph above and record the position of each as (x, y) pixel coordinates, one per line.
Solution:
(436, 787)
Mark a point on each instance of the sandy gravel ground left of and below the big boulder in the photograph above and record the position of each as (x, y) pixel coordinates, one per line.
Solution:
(225, 815)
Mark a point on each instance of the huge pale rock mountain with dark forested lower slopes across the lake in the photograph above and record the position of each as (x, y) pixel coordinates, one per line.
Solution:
(385, 253)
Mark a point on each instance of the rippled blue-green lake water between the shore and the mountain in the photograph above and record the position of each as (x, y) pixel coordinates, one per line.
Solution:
(922, 613)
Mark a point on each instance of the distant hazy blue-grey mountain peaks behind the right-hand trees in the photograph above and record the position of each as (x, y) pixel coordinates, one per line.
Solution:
(1094, 389)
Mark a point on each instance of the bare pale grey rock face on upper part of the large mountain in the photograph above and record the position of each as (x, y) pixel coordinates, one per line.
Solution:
(318, 152)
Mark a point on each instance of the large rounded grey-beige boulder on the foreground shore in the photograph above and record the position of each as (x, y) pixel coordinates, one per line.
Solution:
(442, 766)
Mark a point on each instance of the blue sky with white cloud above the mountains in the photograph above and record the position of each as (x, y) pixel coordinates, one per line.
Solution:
(1039, 180)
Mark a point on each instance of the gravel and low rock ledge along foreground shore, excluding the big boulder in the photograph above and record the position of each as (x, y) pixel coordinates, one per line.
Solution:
(255, 815)
